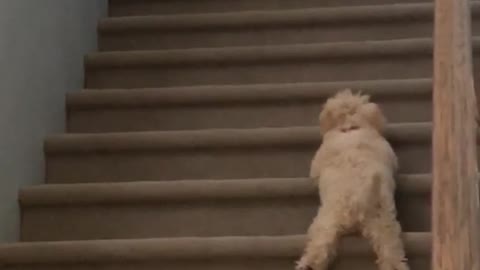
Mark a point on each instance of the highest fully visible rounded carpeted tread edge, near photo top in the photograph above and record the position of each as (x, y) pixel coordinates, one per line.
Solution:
(259, 18)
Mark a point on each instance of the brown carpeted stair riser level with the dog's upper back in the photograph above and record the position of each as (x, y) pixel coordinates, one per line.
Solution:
(223, 163)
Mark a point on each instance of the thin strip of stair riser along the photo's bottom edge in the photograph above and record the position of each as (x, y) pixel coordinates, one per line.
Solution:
(222, 264)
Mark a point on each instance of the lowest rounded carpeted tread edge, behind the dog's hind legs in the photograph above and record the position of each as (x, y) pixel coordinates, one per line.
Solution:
(417, 244)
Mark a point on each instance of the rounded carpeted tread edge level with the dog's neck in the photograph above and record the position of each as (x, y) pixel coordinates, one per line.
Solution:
(191, 139)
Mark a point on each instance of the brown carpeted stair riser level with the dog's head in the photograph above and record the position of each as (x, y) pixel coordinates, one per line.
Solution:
(230, 115)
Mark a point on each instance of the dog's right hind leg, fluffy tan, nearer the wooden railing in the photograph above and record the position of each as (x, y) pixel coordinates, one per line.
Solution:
(384, 233)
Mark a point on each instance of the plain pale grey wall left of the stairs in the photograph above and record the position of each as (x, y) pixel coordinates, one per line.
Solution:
(42, 45)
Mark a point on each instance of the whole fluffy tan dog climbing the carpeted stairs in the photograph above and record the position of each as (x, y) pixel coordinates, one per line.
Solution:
(354, 170)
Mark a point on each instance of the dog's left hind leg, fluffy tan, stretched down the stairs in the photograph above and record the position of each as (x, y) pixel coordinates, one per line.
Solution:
(321, 245)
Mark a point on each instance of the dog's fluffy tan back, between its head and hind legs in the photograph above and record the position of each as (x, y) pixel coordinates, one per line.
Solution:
(350, 168)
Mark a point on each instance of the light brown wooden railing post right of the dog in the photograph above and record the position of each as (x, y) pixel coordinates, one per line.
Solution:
(455, 202)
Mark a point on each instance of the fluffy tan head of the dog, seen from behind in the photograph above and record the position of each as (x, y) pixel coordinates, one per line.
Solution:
(348, 111)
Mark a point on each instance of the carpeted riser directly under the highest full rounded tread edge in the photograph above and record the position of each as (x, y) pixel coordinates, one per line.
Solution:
(218, 37)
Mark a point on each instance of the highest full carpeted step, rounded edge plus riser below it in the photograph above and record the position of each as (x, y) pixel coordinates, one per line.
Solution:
(260, 27)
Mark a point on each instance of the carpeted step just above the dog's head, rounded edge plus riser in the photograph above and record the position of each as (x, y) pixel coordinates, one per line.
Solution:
(336, 61)
